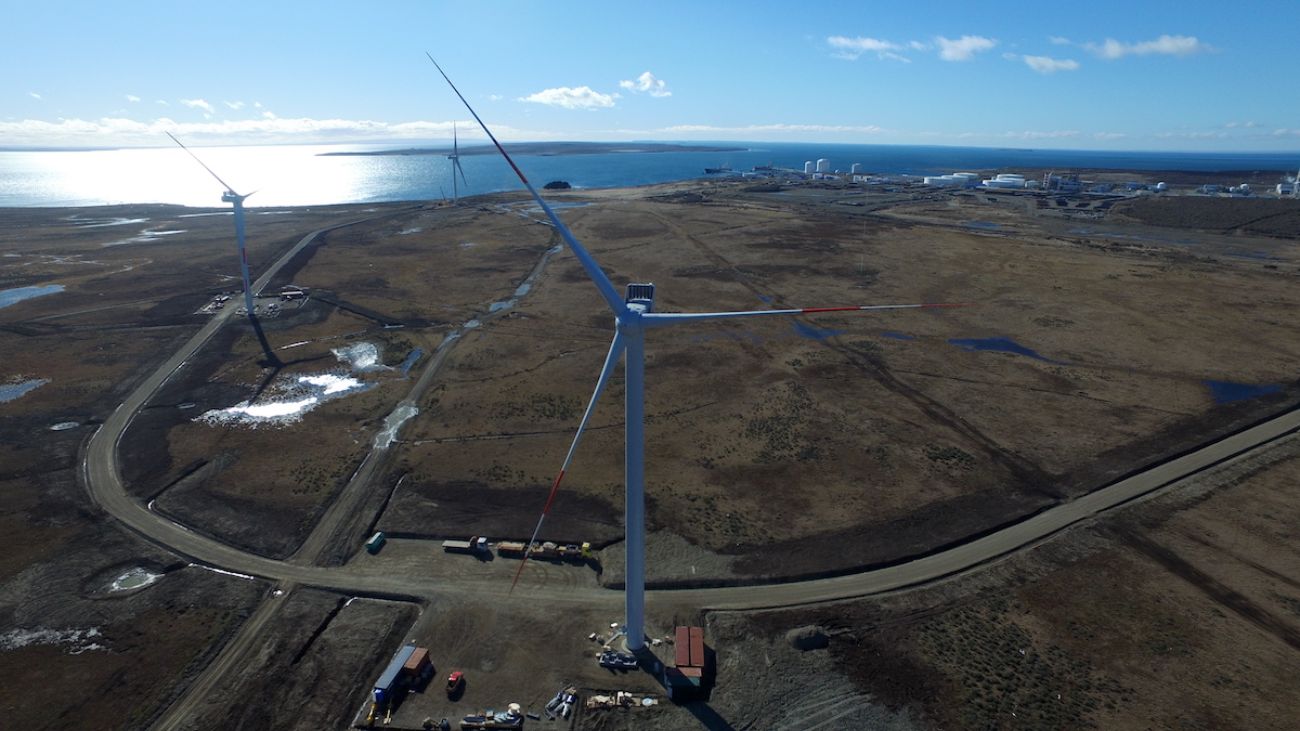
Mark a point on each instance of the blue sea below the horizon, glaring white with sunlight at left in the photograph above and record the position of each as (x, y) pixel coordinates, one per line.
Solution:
(302, 176)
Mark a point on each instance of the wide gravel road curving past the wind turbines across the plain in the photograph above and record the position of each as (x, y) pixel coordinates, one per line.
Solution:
(105, 482)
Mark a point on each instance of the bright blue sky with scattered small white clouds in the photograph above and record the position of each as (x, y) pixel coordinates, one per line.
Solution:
(1194, 76)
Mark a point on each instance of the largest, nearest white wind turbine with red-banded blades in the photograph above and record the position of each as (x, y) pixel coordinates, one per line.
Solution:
(634, 315)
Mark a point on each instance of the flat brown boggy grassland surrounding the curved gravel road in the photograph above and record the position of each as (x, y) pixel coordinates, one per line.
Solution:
(1100, 340)
